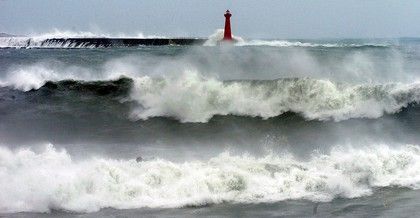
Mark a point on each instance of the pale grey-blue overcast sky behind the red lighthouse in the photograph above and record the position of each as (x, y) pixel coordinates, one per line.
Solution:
(251, 18)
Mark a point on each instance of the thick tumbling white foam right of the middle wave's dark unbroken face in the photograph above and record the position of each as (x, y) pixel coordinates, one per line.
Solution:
(191, 97)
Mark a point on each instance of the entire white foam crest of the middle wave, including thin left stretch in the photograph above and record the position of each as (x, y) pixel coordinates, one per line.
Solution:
(189, 96)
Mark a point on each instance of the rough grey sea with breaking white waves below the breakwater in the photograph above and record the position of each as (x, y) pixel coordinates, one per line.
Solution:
(263, 128)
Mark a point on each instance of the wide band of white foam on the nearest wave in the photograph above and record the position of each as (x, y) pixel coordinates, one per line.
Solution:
(40, 182)
